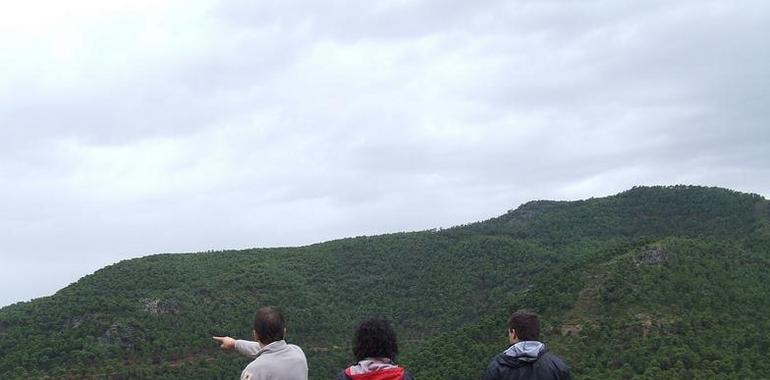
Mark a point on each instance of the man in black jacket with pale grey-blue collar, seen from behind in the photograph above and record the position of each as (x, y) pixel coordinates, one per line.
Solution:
(527, 357)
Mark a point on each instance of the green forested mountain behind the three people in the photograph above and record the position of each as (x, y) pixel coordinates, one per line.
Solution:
(655, 282)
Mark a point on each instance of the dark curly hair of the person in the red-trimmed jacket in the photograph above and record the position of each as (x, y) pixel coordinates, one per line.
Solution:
(375, 338)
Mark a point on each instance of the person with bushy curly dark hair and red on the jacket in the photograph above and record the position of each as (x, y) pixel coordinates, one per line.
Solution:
(375, 349)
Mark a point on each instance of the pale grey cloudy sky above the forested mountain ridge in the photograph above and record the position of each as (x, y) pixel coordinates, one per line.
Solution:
(133, 127)
